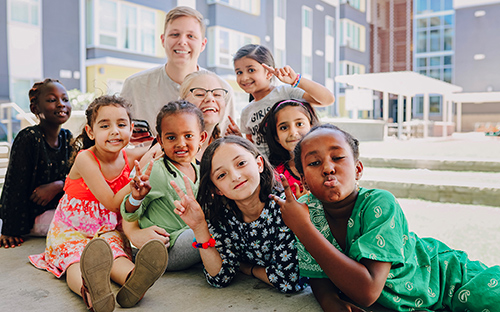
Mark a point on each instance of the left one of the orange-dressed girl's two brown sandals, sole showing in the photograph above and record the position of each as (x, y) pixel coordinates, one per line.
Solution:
(95, 266)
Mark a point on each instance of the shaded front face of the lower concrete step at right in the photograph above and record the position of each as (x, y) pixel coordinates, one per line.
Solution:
(439, 193)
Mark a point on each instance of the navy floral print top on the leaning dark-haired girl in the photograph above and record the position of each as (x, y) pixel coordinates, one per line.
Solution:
(266, 242)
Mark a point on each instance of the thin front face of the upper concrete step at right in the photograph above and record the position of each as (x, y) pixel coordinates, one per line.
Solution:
(432, 164)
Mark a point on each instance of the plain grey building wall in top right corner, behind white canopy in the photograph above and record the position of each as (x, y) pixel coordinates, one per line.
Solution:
(477, 62)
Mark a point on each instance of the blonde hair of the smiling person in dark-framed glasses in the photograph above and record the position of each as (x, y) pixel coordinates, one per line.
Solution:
(187, 84)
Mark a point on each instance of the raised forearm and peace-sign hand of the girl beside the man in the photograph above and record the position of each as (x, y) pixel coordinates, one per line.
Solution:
(315, 93)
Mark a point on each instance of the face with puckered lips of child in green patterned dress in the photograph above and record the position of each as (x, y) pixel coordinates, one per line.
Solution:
(330, 170)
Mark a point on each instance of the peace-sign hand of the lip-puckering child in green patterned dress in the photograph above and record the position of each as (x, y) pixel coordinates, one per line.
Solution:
(294, 214)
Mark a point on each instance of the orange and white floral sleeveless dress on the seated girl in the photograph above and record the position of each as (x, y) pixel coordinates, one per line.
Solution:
(79, 217)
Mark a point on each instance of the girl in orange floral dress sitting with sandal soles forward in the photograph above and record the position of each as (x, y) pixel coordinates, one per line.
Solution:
(85, 240)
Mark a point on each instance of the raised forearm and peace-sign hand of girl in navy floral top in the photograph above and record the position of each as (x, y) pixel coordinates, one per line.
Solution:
(190, 211)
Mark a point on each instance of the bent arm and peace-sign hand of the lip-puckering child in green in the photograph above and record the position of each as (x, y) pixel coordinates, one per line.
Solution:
(361, 281)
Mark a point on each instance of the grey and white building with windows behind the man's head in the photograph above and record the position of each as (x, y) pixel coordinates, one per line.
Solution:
(94, 45)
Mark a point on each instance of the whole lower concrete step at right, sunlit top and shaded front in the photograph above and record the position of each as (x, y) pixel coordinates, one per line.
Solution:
(478, 188)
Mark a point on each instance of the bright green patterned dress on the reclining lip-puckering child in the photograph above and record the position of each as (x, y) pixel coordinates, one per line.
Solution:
(425, 274)
